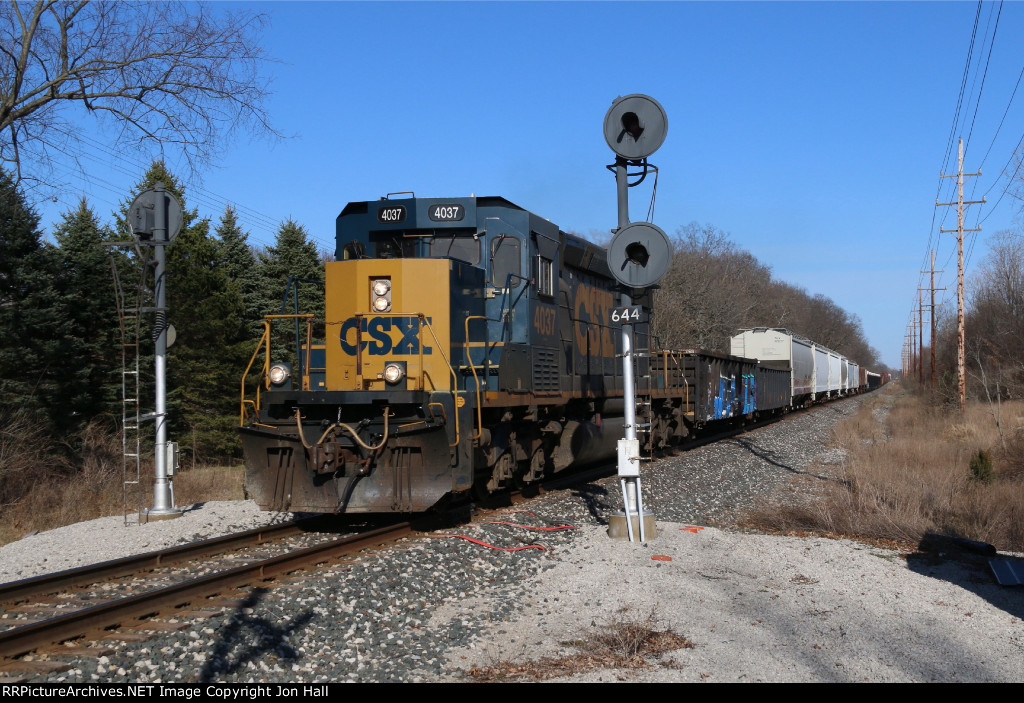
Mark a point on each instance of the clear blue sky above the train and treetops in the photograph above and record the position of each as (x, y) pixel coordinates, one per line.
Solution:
(814, 134)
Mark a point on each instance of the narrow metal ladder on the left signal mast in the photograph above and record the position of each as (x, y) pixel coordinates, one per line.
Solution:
(130, 320)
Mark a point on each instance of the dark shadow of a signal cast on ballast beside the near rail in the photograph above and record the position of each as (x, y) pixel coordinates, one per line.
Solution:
(249, 639)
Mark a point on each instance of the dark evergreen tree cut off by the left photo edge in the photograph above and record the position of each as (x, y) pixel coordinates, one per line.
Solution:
(29, 328)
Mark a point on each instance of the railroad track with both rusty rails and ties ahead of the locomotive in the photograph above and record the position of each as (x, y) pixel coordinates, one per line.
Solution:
(126, 618)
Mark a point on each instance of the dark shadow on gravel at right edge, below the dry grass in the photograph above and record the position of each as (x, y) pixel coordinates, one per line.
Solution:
(965, 563)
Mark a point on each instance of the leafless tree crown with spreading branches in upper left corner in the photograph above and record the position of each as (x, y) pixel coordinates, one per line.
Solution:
(161, 73)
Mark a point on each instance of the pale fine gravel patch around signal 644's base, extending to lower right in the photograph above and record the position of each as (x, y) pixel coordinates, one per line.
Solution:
(761, 608)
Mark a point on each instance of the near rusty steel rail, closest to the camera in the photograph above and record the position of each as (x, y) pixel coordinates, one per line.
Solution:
(82, 624)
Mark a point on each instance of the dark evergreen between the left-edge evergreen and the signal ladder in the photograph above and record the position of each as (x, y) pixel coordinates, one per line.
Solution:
(90, 345)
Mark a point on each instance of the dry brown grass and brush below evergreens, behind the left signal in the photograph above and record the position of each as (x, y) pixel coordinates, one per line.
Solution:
(41, 491)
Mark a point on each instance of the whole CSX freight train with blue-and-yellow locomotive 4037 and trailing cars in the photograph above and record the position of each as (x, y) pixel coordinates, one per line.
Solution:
(472, 345)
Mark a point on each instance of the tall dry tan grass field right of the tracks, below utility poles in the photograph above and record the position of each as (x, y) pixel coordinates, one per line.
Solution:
(908, 472)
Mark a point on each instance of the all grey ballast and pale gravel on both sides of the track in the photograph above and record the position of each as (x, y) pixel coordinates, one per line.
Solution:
(757, 608)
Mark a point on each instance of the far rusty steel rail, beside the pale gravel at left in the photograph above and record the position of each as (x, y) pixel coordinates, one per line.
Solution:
(95, 574)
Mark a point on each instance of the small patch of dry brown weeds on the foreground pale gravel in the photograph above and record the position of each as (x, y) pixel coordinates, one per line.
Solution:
(626, 642)
